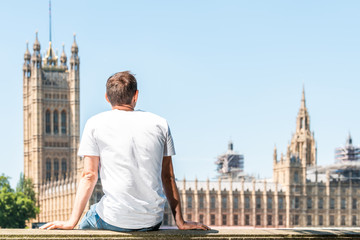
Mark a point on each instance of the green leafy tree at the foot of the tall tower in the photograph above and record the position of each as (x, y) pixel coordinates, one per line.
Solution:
(16, 207)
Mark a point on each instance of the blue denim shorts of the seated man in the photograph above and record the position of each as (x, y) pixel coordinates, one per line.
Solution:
(92, 220)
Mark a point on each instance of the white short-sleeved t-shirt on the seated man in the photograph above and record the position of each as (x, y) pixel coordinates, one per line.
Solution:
(131, 146)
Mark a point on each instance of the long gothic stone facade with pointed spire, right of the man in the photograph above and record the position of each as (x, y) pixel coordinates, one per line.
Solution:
(301, 194)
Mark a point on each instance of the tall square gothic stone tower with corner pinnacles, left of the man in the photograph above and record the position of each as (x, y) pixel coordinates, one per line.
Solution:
(51, 128)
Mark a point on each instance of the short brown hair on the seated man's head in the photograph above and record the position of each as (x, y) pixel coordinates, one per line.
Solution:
(121, 88)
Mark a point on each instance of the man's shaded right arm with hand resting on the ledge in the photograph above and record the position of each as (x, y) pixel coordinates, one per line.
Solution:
(172, 194)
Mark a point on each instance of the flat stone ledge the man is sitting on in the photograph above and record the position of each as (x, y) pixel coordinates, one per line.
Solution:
(223, 233)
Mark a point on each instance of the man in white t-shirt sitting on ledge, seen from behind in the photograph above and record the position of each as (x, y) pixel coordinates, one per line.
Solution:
(132, 151)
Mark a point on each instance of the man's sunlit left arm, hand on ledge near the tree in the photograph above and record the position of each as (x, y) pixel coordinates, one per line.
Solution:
(86, 186)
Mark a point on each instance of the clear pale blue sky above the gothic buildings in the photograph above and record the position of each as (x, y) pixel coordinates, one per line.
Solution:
(215, 69)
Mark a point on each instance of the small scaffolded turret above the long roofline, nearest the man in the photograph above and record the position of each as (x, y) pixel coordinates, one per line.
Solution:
(230, 164)
